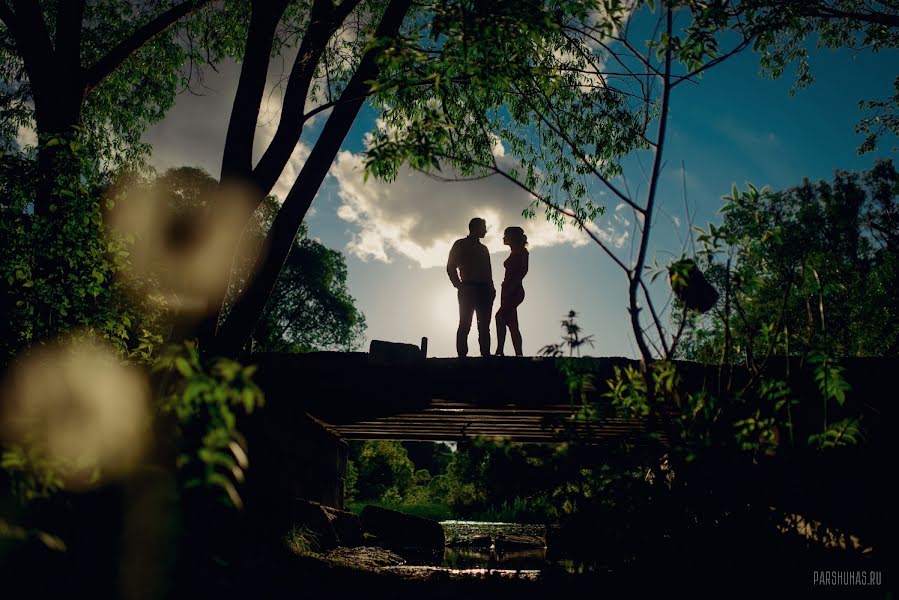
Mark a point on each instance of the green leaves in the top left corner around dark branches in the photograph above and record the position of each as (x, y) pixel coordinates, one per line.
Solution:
(116, 110)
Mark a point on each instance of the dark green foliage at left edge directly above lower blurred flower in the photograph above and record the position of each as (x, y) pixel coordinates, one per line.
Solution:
(66, 269)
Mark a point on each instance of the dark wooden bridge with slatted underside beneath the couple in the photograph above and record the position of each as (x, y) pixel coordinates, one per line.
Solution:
(359, 396)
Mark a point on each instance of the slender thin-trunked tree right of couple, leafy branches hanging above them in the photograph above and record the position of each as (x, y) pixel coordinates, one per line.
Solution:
(567, 121)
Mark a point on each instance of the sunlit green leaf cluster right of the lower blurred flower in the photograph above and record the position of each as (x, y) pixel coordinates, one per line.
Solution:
(205, 401)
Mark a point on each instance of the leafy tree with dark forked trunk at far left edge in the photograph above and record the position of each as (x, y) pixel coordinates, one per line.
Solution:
(76, 71)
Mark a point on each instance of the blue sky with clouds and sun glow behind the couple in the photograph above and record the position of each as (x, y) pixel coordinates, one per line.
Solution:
(732, 127)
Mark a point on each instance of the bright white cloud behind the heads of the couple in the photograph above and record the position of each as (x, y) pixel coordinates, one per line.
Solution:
(420, 217)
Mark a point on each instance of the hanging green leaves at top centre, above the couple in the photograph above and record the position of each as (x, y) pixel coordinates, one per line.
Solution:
(508, 93)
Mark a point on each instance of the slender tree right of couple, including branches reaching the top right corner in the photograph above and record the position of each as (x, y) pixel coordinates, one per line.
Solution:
(565, 135)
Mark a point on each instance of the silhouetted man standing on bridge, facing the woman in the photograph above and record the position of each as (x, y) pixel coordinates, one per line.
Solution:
(468, 268)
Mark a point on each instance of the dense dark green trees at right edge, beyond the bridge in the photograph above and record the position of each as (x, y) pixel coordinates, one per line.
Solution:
(814, 267)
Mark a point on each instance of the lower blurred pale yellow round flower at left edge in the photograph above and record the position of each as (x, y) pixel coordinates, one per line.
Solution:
(75, 404)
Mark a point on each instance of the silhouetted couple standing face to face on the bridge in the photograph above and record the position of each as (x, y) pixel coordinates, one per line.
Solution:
(469, 270)
